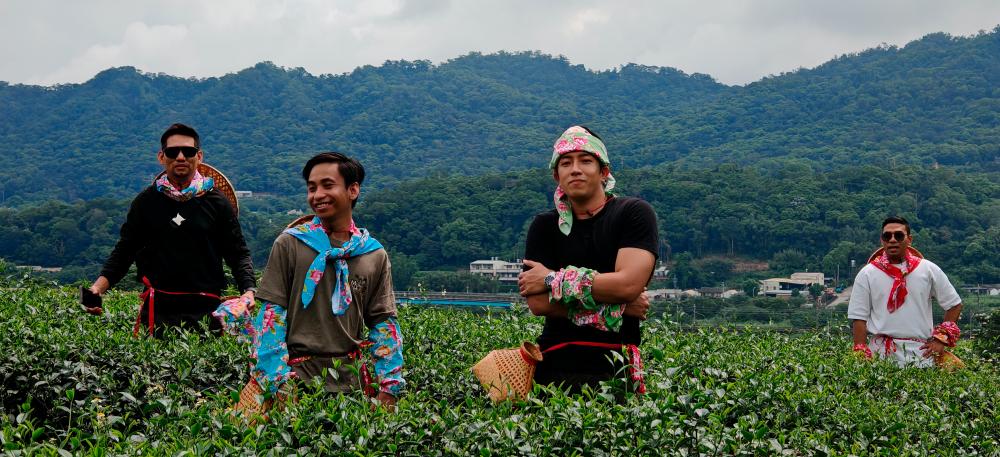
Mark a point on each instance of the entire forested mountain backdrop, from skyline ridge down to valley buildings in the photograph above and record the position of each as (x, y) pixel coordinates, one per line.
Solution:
(796, 169)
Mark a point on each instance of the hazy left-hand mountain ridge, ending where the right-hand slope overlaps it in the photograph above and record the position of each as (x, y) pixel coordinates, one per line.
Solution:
(404, 119)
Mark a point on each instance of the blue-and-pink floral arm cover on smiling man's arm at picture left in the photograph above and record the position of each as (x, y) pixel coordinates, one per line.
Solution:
(265, 331)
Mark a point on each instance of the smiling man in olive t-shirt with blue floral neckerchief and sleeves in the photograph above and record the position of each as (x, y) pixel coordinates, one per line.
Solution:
(326, 294)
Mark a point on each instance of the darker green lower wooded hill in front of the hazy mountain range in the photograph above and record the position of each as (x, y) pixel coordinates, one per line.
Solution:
(792, 217)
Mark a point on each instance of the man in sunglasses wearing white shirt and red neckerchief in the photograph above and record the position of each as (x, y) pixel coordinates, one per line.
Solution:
(891, 300)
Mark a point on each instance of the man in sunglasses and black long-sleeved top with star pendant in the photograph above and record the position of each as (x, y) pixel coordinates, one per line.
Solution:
(178, 232)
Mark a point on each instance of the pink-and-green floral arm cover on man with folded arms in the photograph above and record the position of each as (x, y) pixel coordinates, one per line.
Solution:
(571, 288)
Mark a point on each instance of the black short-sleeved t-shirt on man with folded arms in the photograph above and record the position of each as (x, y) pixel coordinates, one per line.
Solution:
(593, 243)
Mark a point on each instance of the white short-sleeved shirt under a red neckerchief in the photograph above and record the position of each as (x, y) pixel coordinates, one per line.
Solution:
(870, 298)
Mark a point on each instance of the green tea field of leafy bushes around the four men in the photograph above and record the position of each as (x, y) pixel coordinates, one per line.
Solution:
(75, 384)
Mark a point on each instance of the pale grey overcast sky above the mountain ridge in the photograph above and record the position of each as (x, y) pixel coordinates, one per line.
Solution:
(737, 42)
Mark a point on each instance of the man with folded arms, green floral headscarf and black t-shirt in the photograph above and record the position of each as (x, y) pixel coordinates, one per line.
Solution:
(587, 263)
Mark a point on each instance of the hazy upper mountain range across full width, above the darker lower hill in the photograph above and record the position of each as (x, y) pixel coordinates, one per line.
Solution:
(935, 100)
